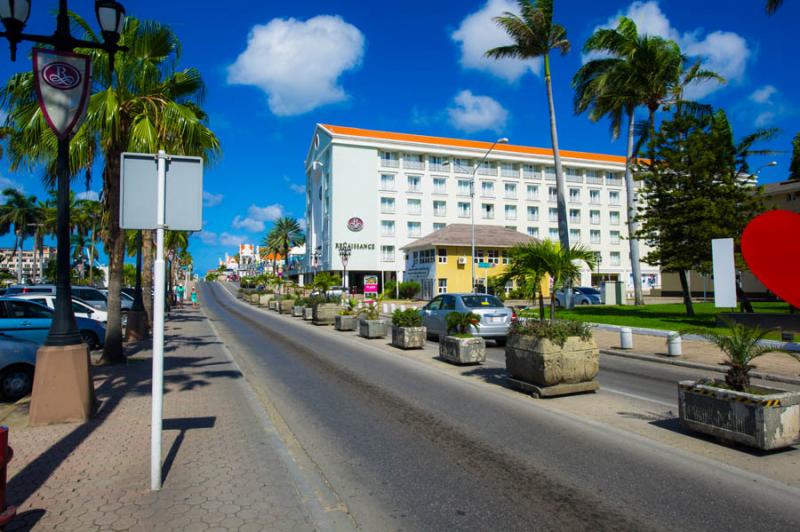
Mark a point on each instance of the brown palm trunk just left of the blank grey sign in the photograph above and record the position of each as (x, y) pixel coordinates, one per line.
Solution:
(112, 350)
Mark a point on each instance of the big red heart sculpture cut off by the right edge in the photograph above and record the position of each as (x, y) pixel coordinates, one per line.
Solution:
(771, 248)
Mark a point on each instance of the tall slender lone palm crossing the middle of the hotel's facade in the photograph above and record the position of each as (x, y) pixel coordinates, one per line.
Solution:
(535, 34)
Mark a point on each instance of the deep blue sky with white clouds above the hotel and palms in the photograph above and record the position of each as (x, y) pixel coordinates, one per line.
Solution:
(274, 69)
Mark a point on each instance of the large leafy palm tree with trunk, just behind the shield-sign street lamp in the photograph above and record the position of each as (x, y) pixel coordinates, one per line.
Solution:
(144, 105)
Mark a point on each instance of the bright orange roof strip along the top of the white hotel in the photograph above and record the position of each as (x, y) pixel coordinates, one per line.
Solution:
(461, 143)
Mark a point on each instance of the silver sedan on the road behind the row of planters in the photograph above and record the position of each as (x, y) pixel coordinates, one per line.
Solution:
(496, 318)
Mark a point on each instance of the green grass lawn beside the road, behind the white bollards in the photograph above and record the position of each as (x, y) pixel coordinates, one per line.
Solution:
(671, 317)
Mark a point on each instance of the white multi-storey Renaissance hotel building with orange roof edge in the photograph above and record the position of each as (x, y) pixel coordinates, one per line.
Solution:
(398, 187)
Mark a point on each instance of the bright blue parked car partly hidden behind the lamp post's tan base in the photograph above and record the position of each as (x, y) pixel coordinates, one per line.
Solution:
(31, 321)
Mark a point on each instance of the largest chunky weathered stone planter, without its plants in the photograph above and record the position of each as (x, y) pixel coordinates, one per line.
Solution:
(545, 369)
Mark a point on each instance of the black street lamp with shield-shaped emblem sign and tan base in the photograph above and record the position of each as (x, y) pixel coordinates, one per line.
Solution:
(62, 83)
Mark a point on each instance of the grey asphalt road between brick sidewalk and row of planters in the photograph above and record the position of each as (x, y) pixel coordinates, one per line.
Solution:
(409, 448)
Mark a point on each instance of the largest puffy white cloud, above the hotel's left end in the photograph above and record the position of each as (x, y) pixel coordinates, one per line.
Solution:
(298, 64)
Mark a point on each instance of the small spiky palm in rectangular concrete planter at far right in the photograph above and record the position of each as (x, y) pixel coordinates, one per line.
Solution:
(733, 409)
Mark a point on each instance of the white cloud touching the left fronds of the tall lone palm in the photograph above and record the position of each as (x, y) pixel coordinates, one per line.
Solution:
(479, 33)
